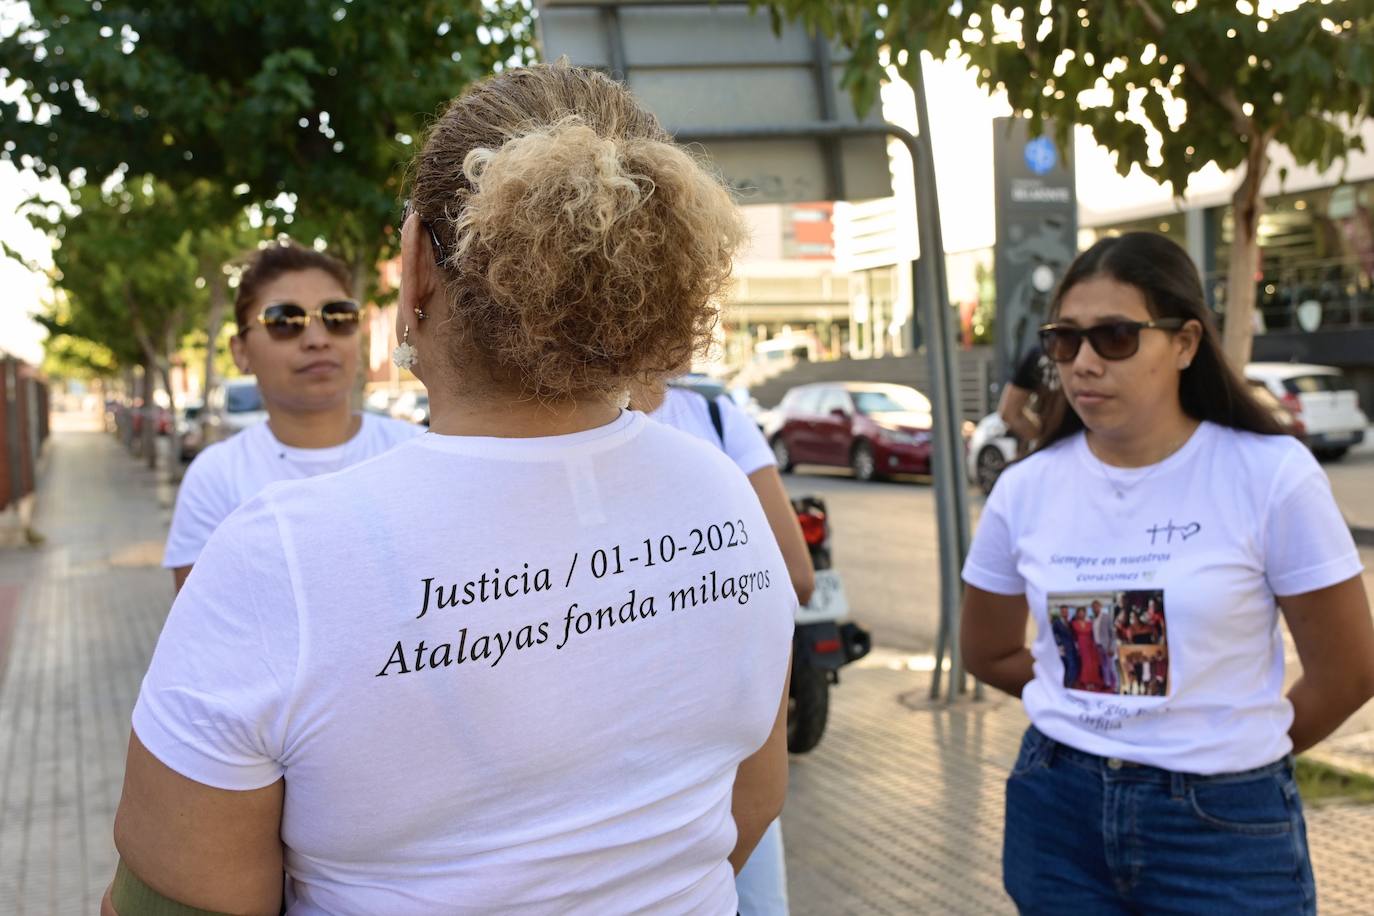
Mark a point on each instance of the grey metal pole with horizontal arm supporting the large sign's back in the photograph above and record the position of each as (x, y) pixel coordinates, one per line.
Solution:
(932, 293)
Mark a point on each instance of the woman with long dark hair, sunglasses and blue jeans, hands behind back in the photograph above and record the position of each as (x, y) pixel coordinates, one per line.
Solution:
(1160, 484)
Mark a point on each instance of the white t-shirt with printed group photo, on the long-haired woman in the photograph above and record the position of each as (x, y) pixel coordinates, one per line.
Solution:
(1186, 557)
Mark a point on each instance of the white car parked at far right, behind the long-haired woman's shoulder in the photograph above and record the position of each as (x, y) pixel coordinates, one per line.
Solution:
(1322, 402)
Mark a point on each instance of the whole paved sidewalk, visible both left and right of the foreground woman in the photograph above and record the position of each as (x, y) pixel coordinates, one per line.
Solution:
(899, 811)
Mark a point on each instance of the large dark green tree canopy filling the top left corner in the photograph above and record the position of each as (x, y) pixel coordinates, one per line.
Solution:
(308, 109)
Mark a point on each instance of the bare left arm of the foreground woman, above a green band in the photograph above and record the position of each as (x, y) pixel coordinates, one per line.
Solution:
(201, 847)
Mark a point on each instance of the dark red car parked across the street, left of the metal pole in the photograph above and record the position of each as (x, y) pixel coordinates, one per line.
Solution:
(873, 429)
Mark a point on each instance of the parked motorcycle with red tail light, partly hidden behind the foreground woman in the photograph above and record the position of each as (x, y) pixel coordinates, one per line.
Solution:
(821, 645)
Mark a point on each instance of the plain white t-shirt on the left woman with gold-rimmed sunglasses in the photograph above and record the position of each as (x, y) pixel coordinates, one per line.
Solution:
(226, 476)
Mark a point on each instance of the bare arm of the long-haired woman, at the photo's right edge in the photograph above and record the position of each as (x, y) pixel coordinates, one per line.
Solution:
(1335, 641)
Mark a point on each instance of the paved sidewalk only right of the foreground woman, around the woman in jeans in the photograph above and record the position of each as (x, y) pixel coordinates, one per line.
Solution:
(899, 810)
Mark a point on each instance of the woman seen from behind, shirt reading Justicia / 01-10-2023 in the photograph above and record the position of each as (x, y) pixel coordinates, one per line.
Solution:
(535, 661)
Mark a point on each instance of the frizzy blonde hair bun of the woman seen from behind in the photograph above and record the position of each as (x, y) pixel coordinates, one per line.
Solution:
(585, 262)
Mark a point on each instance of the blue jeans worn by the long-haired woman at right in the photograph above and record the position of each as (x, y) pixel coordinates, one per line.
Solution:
(1089, 836)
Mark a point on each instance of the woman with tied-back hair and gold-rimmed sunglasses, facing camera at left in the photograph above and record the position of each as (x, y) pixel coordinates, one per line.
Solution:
(299, 334)
